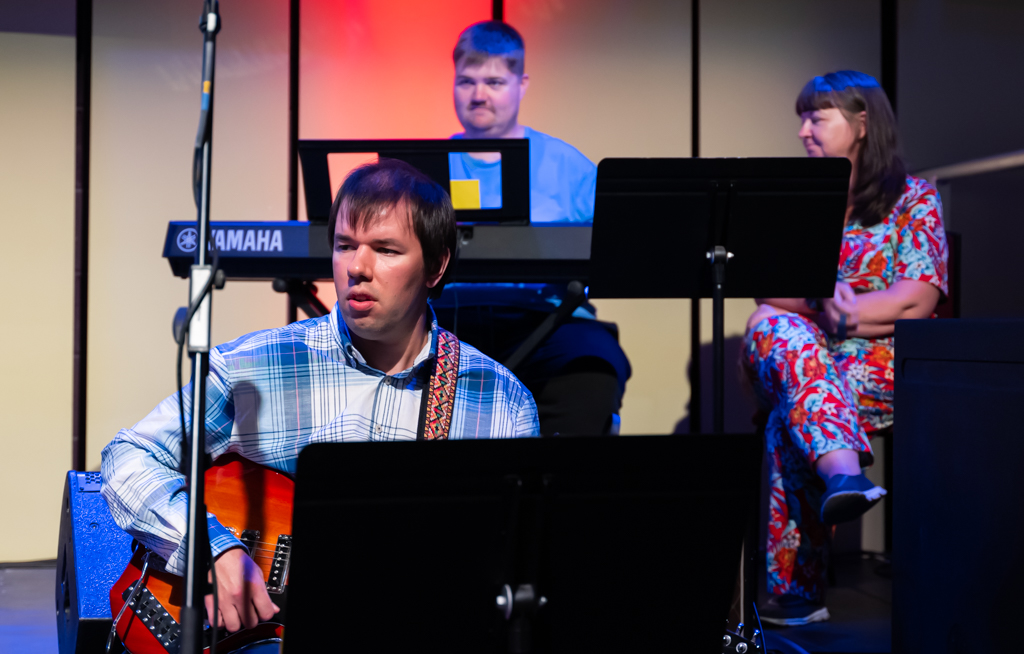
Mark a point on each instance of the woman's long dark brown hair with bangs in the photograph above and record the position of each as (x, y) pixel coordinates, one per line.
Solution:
(881, 171)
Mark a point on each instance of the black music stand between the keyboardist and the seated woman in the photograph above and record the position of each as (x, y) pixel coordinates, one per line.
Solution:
(667, 229)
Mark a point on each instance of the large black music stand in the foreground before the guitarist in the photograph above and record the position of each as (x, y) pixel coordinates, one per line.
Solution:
(580, 545)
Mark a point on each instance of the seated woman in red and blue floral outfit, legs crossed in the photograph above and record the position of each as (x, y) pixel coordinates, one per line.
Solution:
(824, 368)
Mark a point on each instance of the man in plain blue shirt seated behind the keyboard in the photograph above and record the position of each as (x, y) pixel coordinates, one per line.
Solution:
(579, 375)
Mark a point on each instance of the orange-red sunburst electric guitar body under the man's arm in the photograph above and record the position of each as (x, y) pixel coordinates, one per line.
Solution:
(255, 504)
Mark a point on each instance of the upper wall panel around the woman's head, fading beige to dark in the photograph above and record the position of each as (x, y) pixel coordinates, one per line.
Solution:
(757, 56)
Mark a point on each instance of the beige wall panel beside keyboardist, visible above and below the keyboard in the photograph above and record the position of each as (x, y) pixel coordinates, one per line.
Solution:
(613, 78)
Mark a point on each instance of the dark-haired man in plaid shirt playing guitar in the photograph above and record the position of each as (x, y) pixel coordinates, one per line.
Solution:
(369, 371)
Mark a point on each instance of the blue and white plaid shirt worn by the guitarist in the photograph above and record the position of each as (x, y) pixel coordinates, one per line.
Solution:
(270, 395)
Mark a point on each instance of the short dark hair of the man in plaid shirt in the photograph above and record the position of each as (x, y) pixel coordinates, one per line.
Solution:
(373, 188)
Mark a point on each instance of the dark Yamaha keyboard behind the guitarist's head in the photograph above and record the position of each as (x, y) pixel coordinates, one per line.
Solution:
(300, 250)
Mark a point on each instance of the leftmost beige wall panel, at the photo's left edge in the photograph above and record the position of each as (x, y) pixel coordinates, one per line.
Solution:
(37, 211)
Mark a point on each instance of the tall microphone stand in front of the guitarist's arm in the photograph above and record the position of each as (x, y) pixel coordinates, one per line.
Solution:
(198, 555)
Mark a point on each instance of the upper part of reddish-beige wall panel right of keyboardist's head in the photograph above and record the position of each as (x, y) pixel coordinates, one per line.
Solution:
(611, 77)
